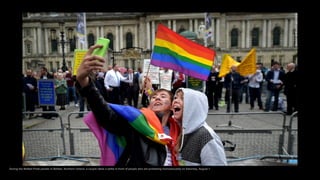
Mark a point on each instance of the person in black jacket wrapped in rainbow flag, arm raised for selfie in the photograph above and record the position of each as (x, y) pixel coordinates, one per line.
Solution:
(129, 137)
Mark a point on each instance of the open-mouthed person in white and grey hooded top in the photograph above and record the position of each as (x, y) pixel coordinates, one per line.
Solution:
(198, 143)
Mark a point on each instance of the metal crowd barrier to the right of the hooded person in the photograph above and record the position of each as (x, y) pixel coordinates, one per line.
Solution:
(257, 142)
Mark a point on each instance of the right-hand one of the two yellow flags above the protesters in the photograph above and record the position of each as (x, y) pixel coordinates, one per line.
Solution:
(248, 64)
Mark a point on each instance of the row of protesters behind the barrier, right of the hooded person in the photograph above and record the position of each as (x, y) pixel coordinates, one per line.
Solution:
(270, 82)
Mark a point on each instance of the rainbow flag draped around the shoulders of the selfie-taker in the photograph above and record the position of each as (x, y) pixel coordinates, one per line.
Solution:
(111, 146)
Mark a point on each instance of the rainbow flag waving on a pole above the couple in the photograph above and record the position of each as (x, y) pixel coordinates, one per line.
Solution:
(176, 52)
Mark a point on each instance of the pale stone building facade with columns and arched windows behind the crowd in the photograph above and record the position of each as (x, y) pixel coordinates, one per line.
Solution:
(274, 35)
